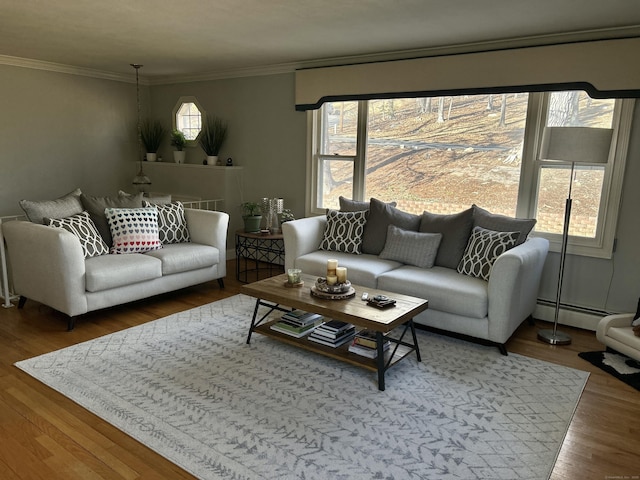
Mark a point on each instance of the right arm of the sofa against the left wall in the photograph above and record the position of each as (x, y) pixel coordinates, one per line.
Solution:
(208, 227)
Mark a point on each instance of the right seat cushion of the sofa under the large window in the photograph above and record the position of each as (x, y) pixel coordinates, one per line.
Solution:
(446, 289)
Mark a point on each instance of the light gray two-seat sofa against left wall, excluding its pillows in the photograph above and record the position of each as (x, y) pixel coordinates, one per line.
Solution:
(48, 265)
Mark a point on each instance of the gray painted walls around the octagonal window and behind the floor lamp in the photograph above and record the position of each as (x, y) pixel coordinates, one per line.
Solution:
(62, 131)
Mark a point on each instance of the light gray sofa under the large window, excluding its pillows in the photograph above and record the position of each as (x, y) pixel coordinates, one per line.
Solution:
(490, 310)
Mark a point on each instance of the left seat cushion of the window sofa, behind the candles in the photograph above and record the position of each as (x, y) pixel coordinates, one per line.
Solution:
(362, 269)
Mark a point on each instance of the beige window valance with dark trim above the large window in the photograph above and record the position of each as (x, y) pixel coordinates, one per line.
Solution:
(604, 68)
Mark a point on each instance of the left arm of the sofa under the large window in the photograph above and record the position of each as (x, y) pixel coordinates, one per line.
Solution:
(302, 236)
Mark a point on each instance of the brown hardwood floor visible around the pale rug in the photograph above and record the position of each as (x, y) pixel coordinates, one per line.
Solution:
(43, 435)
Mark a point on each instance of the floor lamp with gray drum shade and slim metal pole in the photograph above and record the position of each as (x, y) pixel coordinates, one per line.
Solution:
(571, 145)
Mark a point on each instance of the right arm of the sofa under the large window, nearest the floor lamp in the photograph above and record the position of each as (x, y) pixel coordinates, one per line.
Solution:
(513, 287)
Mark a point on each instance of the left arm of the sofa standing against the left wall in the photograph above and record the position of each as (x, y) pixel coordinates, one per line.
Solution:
(47, 265)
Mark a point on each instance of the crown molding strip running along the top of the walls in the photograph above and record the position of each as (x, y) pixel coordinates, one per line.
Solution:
(275, 69)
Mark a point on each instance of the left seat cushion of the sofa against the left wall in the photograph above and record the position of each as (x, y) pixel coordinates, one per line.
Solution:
(111, 271)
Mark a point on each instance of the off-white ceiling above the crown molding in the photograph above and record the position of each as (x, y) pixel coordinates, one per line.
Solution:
(177, 39)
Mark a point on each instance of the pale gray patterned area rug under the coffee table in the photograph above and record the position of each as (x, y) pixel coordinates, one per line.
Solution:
(189, 387)
